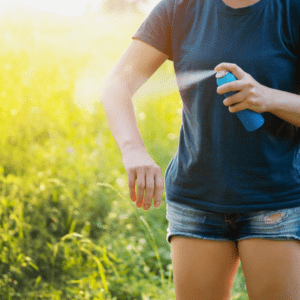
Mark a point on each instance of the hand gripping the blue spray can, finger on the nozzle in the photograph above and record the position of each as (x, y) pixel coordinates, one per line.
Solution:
(250, 94)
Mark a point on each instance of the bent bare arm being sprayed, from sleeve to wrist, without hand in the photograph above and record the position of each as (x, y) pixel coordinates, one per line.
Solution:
(133, 69)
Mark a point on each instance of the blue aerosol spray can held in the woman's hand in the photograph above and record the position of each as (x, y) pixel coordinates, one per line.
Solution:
(249, 118)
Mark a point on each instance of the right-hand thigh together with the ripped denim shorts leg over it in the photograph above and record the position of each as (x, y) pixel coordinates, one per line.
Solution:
(269, 249)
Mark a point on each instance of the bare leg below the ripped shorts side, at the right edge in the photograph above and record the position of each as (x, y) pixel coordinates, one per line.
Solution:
(271, 268)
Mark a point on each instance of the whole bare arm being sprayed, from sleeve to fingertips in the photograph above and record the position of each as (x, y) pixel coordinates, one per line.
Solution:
(133, 69)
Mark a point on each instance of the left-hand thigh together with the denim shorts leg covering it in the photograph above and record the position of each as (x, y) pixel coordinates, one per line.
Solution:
(205, 258)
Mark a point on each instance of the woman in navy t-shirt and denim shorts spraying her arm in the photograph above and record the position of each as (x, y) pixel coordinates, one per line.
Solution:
(232, 195)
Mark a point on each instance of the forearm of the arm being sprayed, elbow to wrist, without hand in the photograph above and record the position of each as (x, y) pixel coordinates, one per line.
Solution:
(117, 102)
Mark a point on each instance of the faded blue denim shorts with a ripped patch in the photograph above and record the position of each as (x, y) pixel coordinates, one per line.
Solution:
(189, 221)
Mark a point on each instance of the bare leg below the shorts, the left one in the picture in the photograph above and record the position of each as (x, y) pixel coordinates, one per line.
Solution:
(203, 269)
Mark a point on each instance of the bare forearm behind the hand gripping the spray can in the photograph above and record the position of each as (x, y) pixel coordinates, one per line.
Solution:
(285, 106)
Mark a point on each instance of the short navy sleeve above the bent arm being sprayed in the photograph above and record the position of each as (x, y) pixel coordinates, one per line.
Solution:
(156, 28)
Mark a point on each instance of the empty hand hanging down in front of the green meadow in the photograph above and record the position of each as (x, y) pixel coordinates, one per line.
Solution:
(140, 167)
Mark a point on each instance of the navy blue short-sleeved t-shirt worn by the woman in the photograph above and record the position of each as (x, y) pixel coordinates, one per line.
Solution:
(219, 166)
